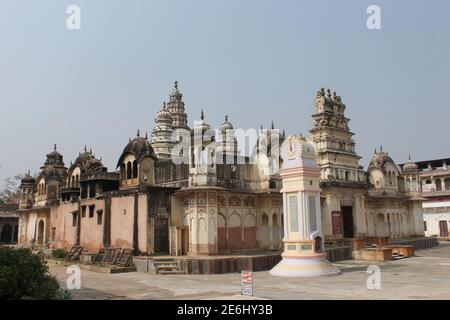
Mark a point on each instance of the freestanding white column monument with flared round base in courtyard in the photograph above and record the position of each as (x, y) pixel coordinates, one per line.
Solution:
(303, 254)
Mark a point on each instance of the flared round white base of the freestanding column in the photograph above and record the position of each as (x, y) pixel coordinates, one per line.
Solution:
(311, 265)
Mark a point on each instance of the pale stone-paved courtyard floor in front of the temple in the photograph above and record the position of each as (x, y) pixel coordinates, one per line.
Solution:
(426, 276)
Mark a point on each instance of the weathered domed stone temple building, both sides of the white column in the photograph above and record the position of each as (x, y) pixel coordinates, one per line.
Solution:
(190, 191)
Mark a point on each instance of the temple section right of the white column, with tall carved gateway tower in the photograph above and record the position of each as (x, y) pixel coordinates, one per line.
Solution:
(383, 201)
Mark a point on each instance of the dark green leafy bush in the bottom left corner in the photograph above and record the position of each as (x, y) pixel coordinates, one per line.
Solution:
(25, 276)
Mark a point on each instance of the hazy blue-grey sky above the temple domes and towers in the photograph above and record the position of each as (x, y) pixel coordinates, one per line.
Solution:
(255, 60)
